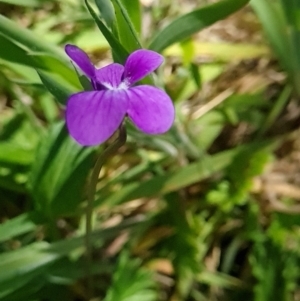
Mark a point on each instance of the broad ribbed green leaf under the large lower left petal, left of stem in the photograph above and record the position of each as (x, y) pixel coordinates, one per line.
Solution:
(58, 175)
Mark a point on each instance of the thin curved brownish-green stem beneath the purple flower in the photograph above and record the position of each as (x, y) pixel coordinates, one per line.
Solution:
(92, 186)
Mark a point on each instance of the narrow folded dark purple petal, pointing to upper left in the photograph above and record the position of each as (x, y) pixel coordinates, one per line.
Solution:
(81, 59)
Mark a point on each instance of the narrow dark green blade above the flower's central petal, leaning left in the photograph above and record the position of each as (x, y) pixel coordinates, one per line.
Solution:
(118, 50)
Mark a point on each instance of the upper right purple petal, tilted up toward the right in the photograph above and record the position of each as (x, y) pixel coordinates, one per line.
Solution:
(141, 63)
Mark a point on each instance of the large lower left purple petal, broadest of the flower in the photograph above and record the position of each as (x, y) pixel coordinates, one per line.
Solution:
(92, 117)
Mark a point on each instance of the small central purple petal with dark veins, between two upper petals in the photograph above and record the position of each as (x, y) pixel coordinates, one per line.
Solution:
(110, 76)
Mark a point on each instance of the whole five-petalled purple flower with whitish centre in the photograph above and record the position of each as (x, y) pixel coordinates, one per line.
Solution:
(93, 116)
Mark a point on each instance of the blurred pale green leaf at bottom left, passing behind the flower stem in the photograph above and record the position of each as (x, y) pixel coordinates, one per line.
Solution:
(34, 261)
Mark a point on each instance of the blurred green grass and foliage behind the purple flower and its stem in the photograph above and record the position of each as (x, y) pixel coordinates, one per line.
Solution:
(208, 211)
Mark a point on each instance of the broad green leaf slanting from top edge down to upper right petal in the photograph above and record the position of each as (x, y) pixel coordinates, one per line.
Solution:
(189, 24)
